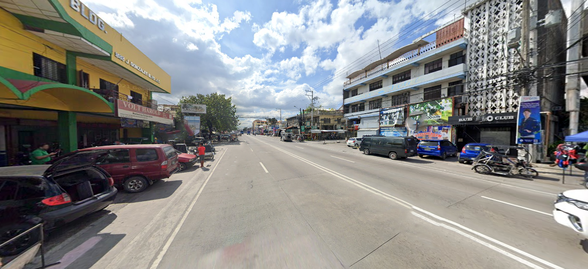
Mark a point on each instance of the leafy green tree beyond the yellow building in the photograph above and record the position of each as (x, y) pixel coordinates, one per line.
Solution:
(221, 113)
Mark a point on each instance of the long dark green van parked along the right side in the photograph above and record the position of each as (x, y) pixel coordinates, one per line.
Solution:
(393, 147)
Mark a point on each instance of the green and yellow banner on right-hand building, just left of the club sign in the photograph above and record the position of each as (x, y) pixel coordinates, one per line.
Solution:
(432, 113)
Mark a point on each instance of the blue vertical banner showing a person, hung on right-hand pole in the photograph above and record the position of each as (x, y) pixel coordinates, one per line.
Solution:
(529, 120)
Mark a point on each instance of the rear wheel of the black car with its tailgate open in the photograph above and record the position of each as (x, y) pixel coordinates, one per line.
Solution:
(20, 244)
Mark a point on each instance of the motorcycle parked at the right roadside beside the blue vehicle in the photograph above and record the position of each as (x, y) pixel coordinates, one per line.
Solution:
(491, 162)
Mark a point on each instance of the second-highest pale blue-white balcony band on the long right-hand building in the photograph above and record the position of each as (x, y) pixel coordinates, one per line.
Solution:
(457, 71)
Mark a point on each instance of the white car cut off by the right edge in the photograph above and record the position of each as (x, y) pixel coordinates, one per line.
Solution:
(571, 210)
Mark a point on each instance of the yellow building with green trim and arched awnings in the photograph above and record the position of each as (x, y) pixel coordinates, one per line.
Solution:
(67, 77)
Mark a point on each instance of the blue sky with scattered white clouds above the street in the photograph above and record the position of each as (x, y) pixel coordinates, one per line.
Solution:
(267, 54)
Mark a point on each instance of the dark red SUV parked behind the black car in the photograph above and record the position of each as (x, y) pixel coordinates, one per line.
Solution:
(134, 167)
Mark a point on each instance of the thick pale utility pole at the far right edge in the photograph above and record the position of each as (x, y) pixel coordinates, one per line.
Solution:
(573, 80)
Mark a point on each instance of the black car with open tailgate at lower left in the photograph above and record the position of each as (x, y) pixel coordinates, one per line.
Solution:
(52, 195)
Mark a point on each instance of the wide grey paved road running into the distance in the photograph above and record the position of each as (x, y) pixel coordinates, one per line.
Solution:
(270, 204)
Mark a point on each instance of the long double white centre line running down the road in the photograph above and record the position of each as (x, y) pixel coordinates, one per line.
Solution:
(408, 205)
